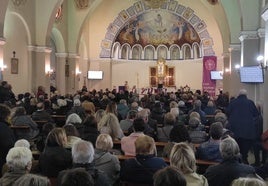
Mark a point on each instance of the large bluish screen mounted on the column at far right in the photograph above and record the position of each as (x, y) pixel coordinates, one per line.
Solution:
(251, 74)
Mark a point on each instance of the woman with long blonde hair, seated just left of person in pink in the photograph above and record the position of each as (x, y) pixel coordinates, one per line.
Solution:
(109, 124)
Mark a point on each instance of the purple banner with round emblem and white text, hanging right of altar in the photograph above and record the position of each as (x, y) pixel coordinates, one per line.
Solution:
(209, 64)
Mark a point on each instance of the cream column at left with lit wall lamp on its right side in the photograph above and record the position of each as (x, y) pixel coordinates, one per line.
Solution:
(40, 56)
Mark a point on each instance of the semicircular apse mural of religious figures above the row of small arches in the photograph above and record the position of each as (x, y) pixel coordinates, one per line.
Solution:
(153, 27)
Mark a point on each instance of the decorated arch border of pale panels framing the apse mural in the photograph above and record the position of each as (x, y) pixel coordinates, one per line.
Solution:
(139, 8)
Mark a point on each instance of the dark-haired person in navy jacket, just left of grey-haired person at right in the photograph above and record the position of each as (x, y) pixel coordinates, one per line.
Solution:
(210, 150)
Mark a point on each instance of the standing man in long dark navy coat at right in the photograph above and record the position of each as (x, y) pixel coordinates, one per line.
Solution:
(241, 114)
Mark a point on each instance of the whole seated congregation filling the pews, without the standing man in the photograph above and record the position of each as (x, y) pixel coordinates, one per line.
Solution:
(120, 138)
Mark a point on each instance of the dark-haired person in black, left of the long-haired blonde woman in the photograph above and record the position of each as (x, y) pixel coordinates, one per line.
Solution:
(90, 131)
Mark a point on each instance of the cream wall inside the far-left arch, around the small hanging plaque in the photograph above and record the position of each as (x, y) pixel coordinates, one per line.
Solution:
(16, 38)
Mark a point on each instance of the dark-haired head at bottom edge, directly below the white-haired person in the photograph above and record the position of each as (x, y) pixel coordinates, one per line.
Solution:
(77, 177)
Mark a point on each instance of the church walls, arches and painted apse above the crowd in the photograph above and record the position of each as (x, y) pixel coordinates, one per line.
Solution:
(144, 42)
